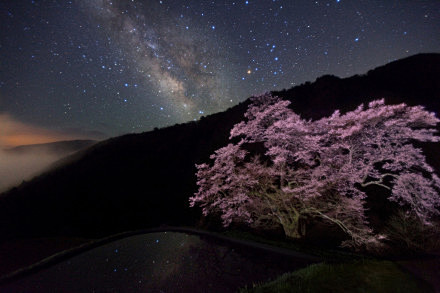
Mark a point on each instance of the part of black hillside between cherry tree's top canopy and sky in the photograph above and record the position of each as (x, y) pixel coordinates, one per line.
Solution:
(413, 80)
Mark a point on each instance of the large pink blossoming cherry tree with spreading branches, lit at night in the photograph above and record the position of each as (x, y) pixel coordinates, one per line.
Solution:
(319, 169)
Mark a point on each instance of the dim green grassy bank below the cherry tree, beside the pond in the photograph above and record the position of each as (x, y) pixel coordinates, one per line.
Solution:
(357, 276)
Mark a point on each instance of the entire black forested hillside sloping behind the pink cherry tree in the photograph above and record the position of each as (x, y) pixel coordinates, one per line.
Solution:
(143, 180)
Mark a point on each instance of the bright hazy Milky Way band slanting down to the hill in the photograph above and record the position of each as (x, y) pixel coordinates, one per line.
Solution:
(182, 67)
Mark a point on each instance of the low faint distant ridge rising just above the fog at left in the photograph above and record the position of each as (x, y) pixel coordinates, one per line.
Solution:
(60, 148)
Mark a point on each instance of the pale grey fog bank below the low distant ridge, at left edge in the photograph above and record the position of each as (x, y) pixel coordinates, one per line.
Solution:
(16, 167)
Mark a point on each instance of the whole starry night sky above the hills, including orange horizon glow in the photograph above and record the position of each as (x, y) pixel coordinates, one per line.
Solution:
(102, 68)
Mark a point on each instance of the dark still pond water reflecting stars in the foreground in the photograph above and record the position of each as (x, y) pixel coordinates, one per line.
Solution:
(160, 262)
